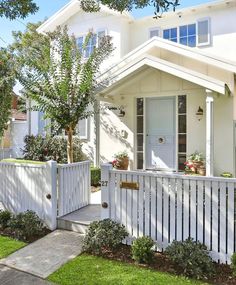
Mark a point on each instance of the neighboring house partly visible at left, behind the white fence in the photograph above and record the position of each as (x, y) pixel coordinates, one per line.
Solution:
(13, 140)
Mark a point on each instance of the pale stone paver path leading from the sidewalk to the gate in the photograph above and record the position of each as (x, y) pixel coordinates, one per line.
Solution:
(46, 255)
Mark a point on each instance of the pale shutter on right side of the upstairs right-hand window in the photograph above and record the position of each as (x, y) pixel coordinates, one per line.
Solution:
(203, 32)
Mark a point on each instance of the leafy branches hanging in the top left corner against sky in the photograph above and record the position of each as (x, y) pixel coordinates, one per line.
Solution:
(13, 9)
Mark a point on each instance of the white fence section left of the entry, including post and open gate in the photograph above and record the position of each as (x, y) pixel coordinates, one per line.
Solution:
(43, 189)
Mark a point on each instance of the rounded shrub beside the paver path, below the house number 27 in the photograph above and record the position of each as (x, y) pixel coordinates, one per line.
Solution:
(104, 235)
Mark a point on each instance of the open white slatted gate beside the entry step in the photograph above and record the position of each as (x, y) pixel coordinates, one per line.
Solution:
(73, 187)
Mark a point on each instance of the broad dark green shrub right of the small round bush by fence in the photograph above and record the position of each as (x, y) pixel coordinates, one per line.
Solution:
(191, 258)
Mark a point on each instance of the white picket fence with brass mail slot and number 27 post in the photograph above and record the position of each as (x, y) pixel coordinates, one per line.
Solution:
(171, 207)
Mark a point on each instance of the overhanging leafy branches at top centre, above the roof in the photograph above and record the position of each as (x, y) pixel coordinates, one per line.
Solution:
(160, 6)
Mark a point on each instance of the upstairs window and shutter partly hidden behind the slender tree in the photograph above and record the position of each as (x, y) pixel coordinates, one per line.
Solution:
(93, 42)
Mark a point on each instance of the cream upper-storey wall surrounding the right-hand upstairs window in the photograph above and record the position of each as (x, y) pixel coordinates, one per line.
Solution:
(222, 27)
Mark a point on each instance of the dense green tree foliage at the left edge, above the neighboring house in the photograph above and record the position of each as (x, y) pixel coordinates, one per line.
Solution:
(6, 85)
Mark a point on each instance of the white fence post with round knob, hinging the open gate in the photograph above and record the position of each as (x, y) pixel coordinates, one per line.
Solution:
(51, 194)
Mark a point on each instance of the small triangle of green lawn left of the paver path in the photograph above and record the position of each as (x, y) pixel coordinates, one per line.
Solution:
(8, 246)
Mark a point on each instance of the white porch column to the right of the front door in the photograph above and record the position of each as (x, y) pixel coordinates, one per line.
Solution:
(209, 133)
